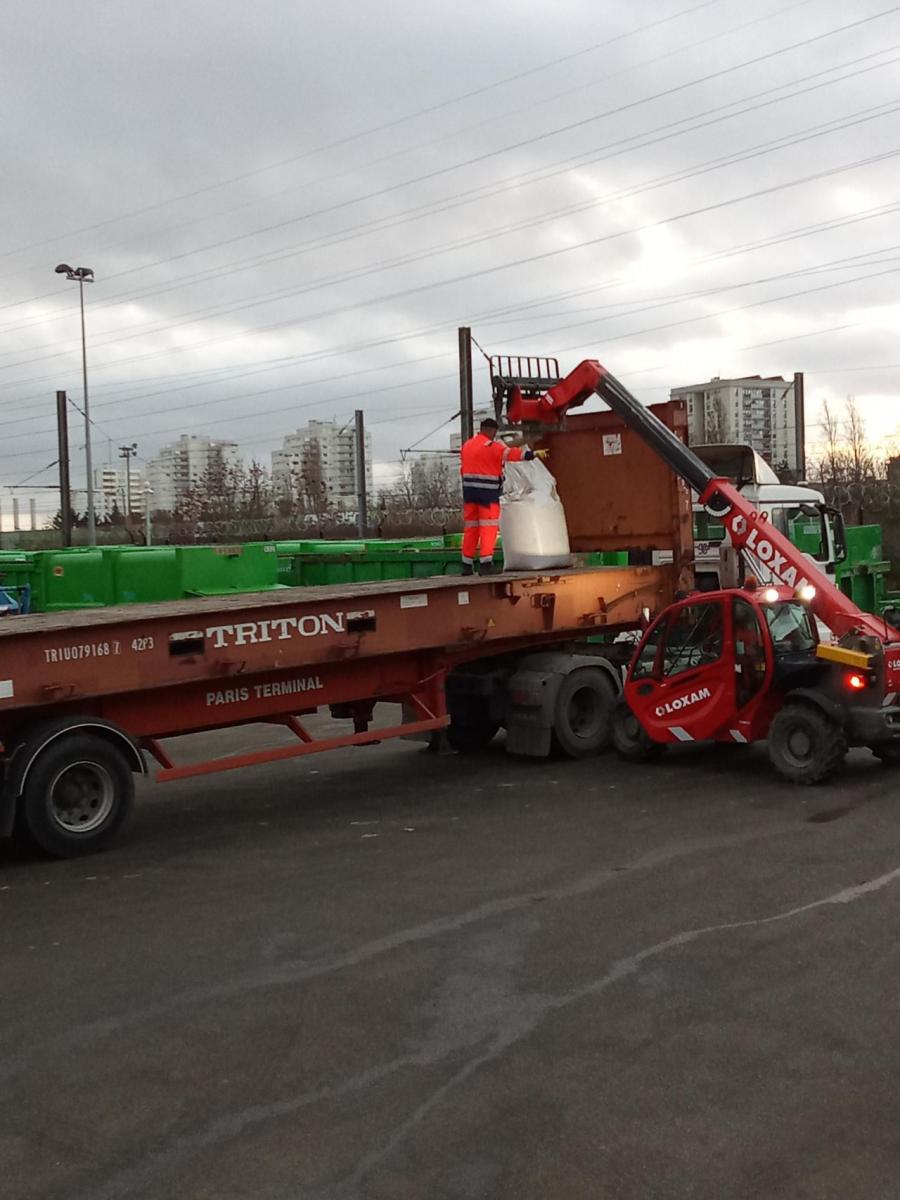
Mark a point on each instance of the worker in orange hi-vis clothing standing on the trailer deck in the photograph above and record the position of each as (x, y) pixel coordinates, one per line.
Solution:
(482, 463)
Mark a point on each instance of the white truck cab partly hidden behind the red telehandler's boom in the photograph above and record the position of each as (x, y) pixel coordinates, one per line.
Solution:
(799, 512)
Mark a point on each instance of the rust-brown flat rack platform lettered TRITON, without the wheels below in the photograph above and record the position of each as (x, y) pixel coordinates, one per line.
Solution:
(123, 657)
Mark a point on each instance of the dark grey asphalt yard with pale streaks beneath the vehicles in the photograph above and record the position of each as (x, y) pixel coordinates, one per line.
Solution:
(381, 974)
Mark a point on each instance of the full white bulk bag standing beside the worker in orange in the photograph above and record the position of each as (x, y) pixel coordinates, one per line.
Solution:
(532, 520)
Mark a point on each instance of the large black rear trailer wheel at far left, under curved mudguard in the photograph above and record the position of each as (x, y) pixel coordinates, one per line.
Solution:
(79, 796)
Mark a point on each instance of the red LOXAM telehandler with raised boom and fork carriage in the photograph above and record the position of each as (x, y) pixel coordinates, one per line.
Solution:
(746, 664)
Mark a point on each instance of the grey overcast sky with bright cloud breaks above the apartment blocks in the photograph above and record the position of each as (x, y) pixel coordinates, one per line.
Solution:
(291, 207)
